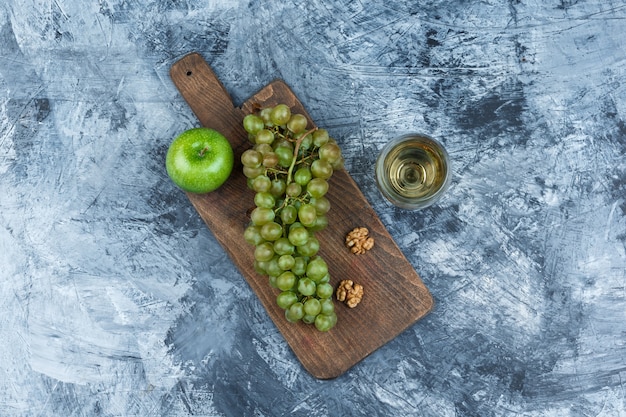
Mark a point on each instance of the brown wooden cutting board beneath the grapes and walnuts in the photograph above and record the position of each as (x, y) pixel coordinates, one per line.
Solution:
(395, 296)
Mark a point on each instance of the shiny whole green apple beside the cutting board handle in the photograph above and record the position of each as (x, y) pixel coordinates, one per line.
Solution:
(199, 160)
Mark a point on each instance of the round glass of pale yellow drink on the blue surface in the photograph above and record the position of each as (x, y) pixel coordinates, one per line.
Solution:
(413, 171)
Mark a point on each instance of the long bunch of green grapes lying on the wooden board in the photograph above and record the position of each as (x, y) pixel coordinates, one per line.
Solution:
(288, 168)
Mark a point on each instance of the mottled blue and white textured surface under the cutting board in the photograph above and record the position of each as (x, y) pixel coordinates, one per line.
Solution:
(116, 300)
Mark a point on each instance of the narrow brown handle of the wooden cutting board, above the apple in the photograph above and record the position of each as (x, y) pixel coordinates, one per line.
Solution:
(213, 106)
